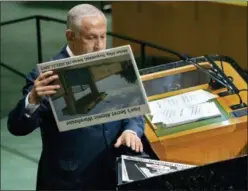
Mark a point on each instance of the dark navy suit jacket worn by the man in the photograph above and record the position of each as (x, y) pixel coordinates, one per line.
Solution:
(74, 159)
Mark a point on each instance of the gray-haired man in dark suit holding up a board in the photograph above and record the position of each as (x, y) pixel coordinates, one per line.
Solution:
(83, 158)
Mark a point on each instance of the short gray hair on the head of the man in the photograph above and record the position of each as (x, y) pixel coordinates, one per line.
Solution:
(77, 13)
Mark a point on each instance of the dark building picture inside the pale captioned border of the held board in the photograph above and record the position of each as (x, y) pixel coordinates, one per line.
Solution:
(98, 88)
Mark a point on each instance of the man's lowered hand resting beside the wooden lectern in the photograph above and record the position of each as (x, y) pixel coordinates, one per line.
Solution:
(129, 139)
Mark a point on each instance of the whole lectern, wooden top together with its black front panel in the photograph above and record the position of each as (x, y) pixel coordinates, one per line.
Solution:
(217, 146)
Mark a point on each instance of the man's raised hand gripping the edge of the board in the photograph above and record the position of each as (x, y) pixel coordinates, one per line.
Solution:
(42, 87)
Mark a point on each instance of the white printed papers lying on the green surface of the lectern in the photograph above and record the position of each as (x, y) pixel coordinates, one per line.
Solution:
(184, 108)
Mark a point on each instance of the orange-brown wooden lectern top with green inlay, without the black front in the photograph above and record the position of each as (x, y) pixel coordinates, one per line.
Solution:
(205, 141)
